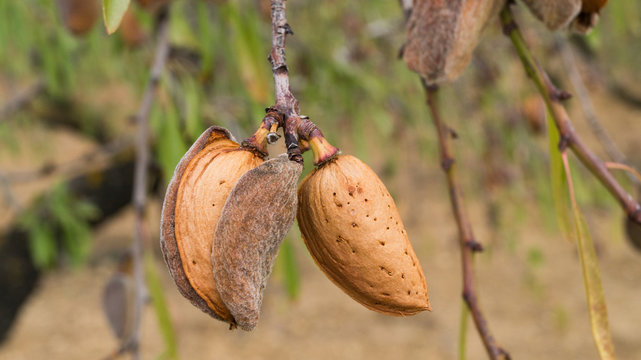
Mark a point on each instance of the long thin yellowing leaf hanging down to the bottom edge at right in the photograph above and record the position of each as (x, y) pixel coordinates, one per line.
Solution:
(591, 277)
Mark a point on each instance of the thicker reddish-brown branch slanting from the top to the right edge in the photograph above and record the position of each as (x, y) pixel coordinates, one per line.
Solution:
(569, 137)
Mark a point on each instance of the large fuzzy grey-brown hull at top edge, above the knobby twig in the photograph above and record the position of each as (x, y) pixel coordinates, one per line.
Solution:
(442, 35)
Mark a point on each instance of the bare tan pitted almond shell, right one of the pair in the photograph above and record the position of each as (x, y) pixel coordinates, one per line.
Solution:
(353, 230)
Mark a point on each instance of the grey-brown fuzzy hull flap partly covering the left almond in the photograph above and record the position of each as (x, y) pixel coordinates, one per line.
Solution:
(257, 215)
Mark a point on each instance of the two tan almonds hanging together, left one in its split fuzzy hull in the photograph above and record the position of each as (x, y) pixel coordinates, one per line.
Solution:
(227, 210)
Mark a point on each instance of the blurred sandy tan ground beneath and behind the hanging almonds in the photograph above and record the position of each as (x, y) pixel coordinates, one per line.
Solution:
(535, 307)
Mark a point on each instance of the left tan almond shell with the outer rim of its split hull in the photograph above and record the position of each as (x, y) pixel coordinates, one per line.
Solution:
(194, 201)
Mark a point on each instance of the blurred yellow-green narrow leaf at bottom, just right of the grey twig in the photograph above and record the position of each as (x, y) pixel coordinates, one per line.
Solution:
(160, 308)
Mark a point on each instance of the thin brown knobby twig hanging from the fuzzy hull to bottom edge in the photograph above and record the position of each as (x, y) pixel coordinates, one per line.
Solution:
(467, 242)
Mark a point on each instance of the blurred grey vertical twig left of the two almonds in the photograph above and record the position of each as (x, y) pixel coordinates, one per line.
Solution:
(139, 199)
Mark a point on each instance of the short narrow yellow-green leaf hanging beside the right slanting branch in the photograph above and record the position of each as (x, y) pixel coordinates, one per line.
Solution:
(558, 181)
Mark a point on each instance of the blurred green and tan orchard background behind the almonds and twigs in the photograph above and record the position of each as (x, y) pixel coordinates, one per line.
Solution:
(66, 168)
